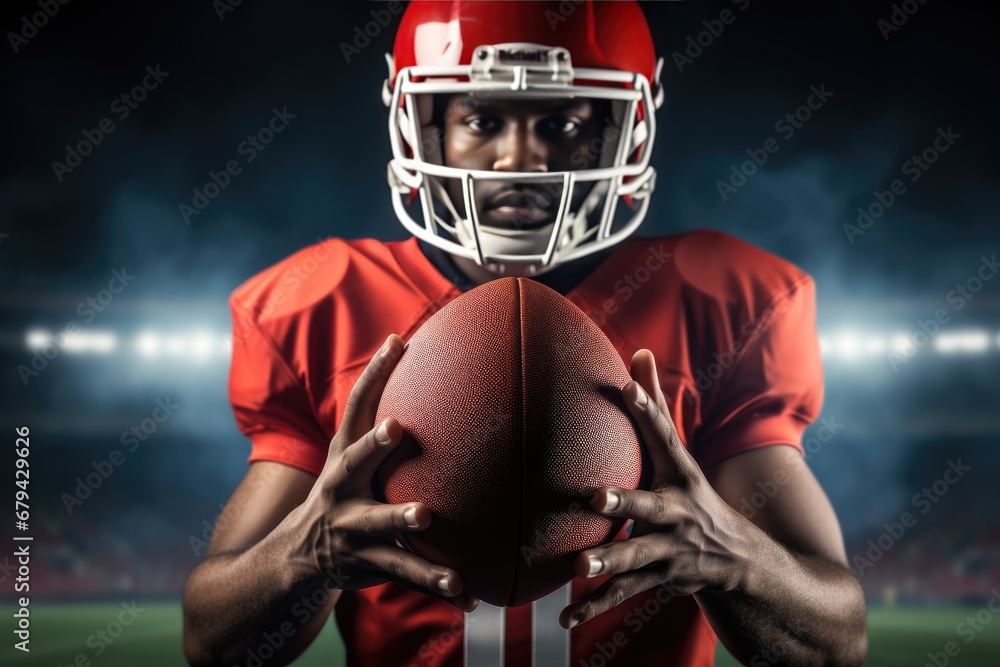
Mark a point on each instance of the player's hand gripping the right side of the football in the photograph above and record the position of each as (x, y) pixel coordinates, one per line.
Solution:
(686, 538)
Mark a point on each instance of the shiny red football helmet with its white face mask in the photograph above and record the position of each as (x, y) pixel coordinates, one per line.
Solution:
(530, 50)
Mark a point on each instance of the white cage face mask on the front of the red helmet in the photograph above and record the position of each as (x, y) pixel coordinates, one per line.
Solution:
(415, 174)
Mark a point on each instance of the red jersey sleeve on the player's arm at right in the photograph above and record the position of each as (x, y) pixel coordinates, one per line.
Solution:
(774, 388)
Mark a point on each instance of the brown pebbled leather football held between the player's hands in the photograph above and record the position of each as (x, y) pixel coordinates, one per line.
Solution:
(510, 399)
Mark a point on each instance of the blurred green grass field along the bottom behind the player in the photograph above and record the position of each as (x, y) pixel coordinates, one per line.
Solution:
(59, 634)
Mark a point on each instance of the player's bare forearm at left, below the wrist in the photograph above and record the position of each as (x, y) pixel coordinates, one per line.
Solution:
(233, 603)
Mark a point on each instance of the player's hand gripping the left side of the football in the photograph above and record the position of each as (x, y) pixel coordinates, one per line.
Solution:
(351, 532)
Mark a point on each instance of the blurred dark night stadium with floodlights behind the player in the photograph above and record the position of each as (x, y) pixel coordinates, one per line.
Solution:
(164, 337)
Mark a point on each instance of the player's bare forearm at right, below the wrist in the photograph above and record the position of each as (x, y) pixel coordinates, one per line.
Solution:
(789, 609)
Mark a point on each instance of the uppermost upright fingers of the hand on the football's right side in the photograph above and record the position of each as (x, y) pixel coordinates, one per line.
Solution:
(645, 402)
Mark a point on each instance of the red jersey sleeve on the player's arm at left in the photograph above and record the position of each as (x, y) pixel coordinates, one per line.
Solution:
(271, 404)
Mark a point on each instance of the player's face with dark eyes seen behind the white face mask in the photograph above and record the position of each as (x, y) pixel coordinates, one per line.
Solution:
(521, 135)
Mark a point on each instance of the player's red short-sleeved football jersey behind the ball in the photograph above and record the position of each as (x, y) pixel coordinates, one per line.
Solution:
(733, 331)
